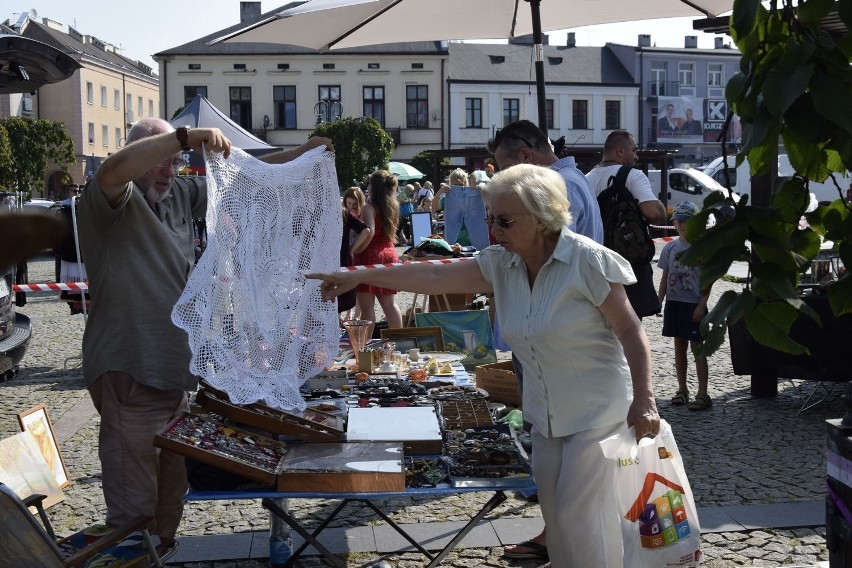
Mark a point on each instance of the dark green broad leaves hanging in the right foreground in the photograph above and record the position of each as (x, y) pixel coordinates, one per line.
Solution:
(795, 86)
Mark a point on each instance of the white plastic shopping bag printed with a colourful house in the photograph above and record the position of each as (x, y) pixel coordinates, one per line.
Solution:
(659, 524)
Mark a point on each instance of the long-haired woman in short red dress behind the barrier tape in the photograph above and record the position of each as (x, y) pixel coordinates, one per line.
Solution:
(381, 215)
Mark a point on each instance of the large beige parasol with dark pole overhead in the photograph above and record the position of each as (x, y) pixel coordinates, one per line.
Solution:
(338, 24)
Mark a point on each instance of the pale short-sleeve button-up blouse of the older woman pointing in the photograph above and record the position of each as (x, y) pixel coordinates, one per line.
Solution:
(575, 374)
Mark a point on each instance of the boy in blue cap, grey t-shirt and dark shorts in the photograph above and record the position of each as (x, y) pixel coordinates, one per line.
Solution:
(685, 307)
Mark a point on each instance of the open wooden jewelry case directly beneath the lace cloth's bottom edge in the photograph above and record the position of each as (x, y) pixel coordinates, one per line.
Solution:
(311, 425)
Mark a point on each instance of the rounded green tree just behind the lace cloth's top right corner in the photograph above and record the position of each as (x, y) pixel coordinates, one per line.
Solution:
(361, 146)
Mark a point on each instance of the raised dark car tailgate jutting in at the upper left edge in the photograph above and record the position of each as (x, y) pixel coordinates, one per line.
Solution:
(27, 64)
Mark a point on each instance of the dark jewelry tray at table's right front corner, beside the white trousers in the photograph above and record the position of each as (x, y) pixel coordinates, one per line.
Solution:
(488, 456)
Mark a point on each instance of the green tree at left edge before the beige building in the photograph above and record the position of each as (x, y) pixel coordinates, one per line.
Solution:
(33, 144)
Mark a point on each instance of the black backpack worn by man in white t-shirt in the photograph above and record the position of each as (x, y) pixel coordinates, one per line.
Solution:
(625, 229)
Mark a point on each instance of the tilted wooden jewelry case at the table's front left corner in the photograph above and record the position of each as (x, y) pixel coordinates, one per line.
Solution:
(238, 451)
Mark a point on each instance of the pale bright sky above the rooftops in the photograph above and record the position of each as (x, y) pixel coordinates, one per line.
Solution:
(157, 25)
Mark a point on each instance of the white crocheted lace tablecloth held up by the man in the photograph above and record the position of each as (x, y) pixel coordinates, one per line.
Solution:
(257, 327)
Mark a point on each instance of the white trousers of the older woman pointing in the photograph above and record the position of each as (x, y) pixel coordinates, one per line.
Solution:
(577, 501)
